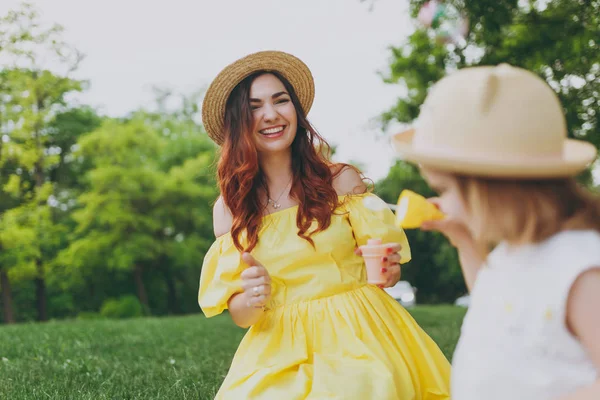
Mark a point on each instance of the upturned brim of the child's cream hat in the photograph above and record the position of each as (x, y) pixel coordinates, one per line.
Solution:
(577, 156)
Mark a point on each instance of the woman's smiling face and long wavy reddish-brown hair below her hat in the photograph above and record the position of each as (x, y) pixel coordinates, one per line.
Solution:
(261, 125)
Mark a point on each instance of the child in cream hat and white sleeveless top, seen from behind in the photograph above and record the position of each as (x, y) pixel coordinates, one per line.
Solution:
(492, 142)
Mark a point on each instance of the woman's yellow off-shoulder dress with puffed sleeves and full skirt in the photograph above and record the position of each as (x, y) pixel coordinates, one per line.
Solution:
(326, 334)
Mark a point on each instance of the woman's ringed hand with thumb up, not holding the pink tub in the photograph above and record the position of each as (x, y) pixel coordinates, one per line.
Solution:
(256, 282)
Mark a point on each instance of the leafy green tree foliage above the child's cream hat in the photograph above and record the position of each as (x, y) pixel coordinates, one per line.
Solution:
(557, 39)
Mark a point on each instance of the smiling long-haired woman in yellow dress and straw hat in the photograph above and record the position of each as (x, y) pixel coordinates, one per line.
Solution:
(284, 262)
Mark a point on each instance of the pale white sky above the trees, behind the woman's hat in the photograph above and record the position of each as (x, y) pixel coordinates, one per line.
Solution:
(131, 45)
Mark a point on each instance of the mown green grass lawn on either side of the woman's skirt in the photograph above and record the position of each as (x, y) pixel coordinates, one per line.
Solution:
(146, 358)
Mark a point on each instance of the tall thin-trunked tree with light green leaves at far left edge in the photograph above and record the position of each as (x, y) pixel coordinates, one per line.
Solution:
(32, 97)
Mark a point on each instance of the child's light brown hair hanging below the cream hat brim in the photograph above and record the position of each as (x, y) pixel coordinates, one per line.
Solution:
(529, 211)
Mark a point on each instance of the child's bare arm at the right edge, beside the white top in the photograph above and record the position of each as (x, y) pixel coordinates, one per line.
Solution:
(583, 319)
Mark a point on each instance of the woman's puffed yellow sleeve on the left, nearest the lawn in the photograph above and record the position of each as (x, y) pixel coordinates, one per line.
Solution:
(220, 276)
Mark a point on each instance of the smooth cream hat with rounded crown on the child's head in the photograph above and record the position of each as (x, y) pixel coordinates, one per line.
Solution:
(500, 121)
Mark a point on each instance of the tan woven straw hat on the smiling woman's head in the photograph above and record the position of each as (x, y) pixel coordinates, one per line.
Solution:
(292, 68)
